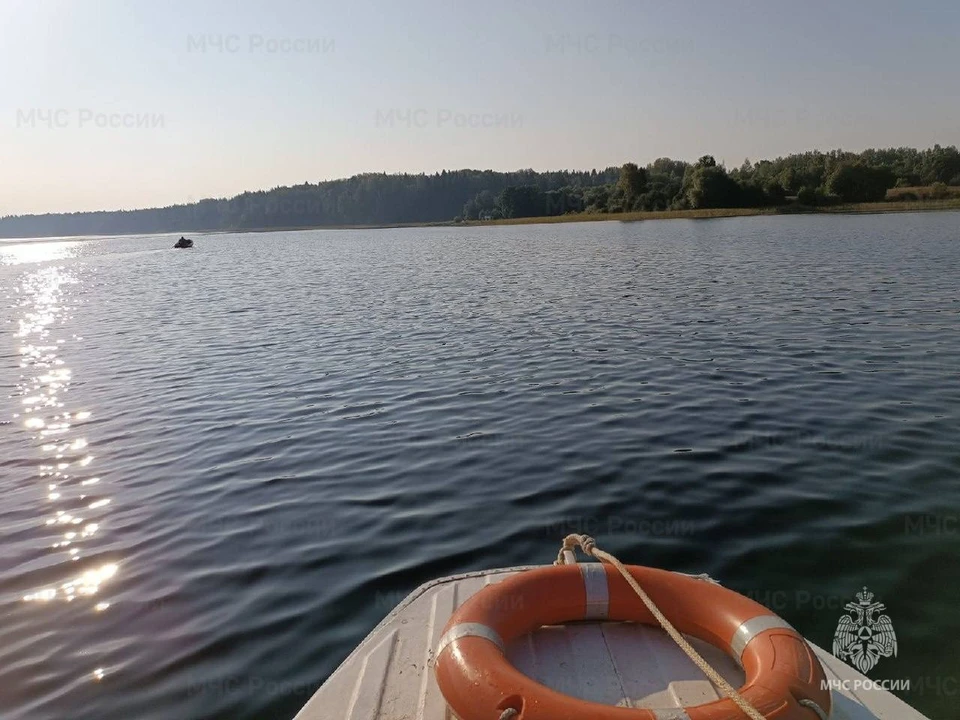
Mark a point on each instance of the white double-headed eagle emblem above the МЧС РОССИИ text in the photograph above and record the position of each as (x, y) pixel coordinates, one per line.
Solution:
(861, 638)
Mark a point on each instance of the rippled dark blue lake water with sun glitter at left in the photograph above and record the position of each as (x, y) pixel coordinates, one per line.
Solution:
(222, 467)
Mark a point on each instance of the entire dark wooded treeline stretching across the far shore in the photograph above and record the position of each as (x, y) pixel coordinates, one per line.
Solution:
(810, 179)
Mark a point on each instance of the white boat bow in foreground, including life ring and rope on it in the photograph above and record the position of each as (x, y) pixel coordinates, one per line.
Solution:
(577, 641)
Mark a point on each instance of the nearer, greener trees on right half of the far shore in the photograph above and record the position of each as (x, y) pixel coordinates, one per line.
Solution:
(807, 179)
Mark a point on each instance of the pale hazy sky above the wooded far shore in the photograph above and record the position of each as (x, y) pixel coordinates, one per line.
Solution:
(115, 104)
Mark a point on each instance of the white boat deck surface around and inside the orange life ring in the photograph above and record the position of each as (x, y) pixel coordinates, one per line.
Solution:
(390, 674)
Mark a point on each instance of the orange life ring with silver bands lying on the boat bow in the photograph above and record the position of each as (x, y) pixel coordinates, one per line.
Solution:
(784, 678)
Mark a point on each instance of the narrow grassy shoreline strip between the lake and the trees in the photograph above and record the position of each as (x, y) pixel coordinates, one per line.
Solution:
(698, 214)
